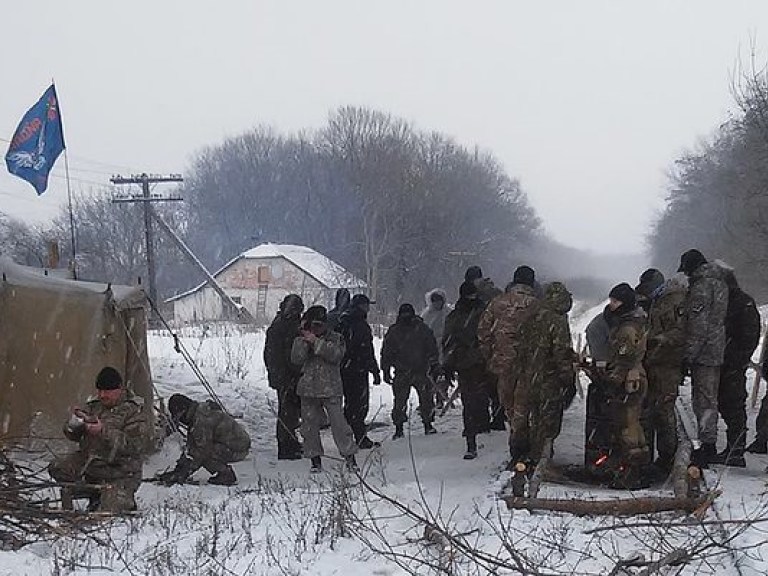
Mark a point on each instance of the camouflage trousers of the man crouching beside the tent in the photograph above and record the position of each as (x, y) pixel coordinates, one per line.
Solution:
(116, 486)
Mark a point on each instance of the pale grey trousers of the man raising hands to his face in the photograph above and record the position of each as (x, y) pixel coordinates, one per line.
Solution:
(313, 411)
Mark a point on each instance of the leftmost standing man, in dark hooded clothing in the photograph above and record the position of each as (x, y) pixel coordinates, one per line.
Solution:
(283, 375)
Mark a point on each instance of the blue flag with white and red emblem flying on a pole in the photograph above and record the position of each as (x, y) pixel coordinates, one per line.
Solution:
(37, 142)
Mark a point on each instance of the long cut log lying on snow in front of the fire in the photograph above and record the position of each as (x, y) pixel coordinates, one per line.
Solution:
(616, 507)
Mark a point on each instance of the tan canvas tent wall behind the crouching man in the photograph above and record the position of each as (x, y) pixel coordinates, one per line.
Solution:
(56, 335)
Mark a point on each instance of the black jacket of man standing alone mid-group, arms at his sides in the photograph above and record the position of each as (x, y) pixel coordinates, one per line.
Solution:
(409, 347)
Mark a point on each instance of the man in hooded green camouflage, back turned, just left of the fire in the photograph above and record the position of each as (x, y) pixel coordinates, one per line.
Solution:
(548, 357)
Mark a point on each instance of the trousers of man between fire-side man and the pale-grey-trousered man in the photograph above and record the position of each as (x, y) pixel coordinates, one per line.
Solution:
(662, 392)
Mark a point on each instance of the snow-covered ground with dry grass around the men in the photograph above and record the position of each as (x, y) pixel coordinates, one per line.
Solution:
(281, 520)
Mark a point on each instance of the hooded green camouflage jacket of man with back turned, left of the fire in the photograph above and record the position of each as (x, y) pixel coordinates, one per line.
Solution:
(547, 350)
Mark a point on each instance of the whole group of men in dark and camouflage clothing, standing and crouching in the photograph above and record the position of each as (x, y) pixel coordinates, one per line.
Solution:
(511, 355)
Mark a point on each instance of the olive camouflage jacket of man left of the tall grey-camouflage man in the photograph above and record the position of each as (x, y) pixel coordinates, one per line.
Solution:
(666, 325)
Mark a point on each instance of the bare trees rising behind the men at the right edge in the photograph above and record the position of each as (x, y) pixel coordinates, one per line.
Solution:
(717, 195)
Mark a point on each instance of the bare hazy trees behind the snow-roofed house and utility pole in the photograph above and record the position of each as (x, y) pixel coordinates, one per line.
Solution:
(403, 208)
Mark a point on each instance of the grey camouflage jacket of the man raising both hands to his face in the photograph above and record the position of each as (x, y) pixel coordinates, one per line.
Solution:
(320, 362)
